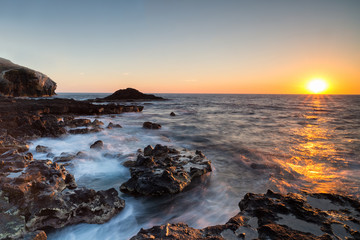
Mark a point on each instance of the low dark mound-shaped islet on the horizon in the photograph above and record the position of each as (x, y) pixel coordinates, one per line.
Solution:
(129, 94)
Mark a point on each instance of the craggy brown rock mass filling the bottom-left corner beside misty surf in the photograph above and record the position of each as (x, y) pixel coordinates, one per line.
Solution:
(33, 197)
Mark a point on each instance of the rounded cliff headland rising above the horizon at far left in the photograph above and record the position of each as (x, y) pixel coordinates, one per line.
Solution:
(17, 81)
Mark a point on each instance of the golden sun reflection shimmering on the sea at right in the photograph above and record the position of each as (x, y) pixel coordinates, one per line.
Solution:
(314, 162)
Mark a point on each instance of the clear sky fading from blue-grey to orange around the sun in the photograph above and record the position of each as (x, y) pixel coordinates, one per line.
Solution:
(186, 46)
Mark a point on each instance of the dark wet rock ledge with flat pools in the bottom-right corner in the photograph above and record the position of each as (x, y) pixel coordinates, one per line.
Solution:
(276, 216)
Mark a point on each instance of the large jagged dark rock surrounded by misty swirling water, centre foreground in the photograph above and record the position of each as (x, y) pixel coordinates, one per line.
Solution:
(164, 170)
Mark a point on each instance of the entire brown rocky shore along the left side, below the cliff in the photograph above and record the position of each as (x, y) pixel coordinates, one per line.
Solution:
(38, 195)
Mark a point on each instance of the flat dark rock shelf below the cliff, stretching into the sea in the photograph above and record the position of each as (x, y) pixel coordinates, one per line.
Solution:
(27, 118)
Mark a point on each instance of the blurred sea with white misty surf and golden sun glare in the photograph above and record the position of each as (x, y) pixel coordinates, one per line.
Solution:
(287, 143)
